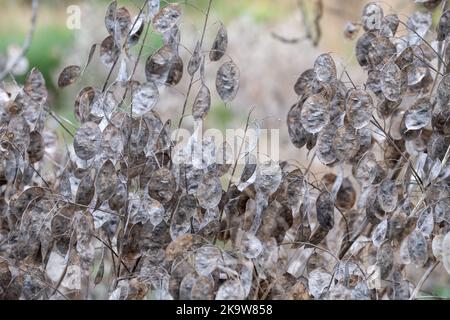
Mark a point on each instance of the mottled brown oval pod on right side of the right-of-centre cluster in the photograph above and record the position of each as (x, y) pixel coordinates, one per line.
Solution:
(359, 107)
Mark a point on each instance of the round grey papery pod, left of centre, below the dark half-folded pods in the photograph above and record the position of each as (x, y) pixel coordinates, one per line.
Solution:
(87, 141)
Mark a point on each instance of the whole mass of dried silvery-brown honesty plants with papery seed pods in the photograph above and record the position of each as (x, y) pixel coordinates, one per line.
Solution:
(126, 210)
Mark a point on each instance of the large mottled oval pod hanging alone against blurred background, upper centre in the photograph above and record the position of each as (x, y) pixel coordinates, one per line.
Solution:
(227, 81)
